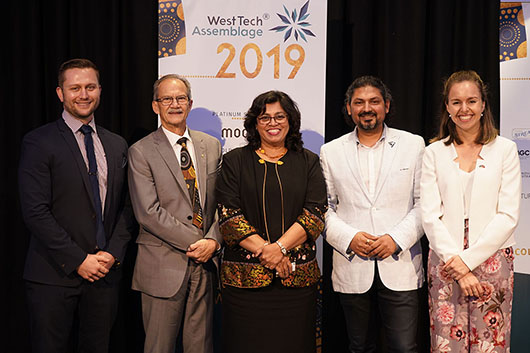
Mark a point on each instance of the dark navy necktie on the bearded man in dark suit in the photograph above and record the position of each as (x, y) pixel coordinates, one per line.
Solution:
(93, 177)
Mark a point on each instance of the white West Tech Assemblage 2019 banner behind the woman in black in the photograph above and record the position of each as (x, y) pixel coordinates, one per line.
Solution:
(233, 50)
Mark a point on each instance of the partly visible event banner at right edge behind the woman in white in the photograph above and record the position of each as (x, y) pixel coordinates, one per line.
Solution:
(515, 109)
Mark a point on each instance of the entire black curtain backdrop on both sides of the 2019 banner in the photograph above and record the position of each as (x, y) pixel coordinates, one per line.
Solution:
(411, 44)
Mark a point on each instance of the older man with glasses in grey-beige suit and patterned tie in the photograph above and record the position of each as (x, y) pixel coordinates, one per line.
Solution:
(172, 175)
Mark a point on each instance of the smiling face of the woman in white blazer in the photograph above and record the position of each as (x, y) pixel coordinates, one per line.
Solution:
(465, 106)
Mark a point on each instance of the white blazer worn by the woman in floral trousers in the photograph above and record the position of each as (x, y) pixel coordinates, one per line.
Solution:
(493, 208)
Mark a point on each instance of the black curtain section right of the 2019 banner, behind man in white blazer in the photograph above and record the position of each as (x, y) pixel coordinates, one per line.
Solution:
(412, 46)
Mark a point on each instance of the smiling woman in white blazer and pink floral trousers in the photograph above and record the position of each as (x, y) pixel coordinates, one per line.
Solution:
(470, 196)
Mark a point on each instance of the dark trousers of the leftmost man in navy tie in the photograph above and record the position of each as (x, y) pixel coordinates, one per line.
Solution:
(54, 310)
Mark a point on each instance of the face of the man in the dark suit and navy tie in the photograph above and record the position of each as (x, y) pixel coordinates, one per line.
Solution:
(80, 93)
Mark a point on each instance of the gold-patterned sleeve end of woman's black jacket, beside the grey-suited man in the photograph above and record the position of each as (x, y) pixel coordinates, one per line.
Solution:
(233, 225)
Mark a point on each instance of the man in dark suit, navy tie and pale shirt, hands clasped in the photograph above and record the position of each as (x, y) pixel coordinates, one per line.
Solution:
(72, 179)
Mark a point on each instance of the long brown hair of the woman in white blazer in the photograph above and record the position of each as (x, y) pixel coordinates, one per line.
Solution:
(488, 131)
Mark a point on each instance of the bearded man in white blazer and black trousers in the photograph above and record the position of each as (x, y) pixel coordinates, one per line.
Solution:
(373, 222)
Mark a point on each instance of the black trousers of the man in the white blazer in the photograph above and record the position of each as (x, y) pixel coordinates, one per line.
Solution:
(398, 311)
